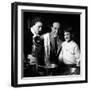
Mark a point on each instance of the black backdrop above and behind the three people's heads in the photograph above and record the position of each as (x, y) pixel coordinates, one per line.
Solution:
(66, 20)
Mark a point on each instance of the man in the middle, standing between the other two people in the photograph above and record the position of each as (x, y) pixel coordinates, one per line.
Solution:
(52, 44)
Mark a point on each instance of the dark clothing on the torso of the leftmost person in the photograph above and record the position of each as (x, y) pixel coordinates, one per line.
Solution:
(38, 49)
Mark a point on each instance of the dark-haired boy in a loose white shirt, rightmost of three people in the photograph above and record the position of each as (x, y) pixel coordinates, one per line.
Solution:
(70, 54)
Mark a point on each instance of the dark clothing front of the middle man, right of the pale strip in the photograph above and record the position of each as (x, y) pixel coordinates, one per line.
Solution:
(55, 47)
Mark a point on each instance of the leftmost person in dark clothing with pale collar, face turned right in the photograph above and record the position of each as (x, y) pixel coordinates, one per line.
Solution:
(37, 42)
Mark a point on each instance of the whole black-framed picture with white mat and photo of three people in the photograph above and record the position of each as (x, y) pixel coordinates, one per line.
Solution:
(49, 44)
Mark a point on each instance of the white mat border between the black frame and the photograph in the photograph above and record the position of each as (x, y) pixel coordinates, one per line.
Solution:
(50, 79)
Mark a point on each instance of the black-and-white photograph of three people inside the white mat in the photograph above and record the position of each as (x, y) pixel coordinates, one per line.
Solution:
(48, 47)
